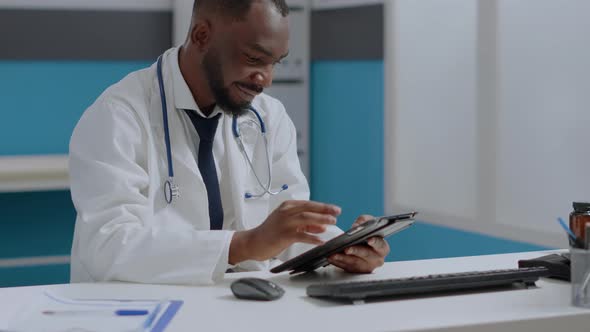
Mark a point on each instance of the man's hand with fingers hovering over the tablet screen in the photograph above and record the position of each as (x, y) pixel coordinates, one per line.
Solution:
(292, 221)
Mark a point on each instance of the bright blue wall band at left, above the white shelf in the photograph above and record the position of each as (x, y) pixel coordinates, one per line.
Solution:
(41, 101)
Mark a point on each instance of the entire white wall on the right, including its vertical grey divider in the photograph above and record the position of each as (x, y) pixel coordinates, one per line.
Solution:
(486, 107)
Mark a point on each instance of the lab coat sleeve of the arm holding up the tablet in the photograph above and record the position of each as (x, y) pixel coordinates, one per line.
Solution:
(287, 170)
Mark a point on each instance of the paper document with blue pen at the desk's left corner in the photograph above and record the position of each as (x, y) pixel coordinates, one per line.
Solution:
(52, 313)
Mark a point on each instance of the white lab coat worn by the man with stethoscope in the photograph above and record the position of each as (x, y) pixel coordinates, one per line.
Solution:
(125, 230)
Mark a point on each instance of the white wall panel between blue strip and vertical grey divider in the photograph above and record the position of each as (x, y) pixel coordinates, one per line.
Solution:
(434, 136)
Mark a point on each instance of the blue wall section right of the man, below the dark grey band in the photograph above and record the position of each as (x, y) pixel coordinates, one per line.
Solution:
(347, 136)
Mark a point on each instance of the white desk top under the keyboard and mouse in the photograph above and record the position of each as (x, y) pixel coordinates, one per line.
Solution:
(546, 308)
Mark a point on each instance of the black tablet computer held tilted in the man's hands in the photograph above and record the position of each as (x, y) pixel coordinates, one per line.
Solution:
(318, 256)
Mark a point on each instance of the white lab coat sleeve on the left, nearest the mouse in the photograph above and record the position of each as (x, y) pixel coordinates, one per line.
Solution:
(118, 236)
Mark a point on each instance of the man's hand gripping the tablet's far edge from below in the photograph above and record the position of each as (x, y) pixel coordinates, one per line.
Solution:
(362, 258)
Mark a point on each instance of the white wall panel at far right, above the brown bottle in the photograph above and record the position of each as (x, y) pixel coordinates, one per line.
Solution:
(544, 110)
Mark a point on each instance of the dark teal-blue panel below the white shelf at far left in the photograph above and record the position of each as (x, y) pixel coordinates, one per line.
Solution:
(32, 225)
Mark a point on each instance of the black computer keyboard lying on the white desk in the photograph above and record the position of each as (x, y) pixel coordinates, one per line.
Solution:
(434, 283)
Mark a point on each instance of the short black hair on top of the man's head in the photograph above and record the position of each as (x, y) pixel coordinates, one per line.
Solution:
(236, 9)
